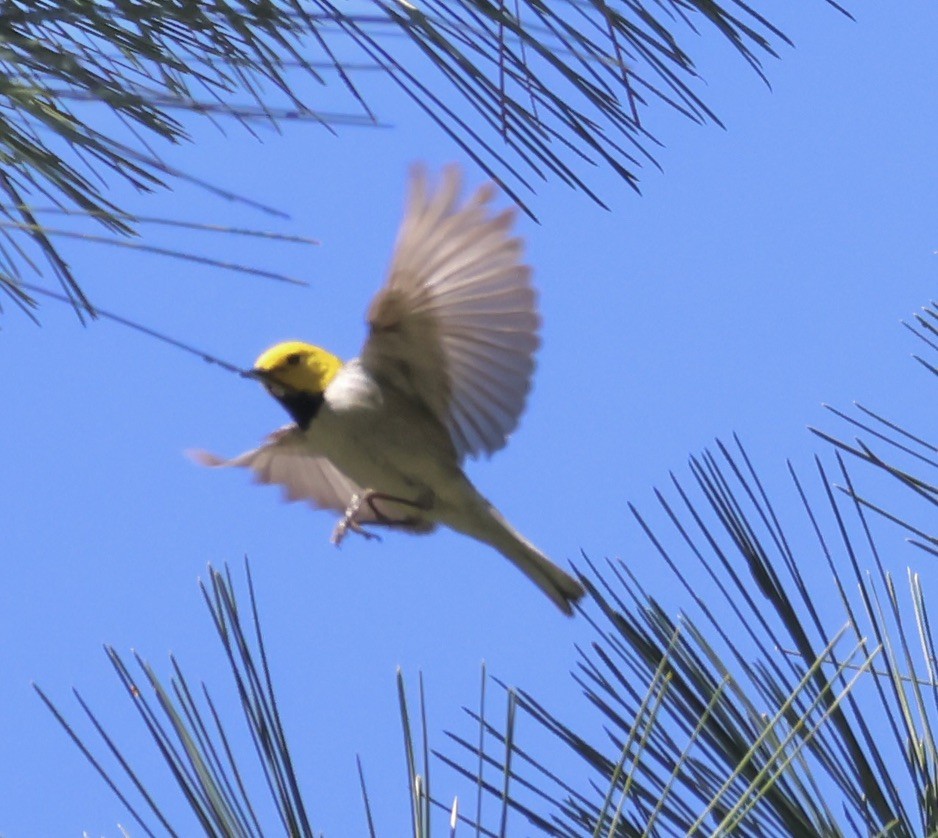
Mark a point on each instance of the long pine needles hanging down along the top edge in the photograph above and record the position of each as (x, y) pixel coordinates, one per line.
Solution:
(93, 93)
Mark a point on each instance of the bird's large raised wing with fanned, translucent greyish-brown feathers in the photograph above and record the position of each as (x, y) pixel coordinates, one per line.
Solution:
(456, 323)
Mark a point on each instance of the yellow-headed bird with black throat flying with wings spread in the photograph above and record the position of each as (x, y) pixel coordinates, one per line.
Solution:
(443, 375)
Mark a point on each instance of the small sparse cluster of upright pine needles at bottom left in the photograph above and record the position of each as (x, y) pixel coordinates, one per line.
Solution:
(196, 741)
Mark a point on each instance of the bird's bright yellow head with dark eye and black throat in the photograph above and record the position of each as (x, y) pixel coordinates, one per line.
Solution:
(296, 374)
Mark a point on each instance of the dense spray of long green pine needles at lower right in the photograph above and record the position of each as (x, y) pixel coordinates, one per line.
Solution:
(777, 701)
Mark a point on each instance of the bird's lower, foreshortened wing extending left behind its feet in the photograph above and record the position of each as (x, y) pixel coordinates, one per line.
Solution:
(285, 459)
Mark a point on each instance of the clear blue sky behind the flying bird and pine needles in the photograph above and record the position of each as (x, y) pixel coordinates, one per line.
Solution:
(763, 272)
